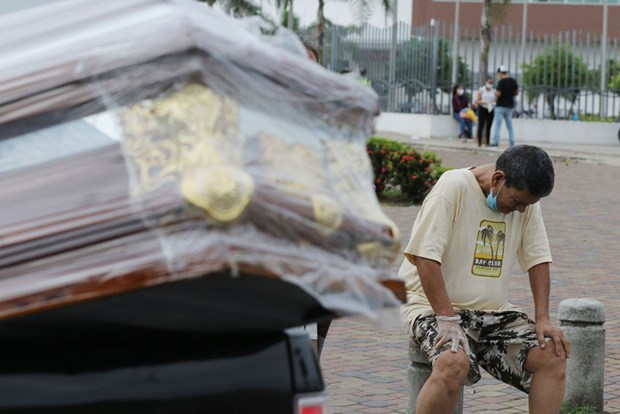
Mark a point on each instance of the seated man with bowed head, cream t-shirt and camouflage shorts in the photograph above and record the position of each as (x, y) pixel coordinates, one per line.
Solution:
(472, 227)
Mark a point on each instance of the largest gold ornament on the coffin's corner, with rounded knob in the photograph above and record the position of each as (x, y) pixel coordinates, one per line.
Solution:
(190, 138)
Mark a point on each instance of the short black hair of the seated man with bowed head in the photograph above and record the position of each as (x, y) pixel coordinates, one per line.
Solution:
(527, 168)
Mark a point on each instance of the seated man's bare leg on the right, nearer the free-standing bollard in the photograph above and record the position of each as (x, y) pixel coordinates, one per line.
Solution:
(548, 379)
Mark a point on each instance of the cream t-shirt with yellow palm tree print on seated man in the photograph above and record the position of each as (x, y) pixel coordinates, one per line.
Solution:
(475, 246)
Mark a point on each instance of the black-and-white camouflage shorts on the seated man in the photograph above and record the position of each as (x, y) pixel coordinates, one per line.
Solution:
(498, 342)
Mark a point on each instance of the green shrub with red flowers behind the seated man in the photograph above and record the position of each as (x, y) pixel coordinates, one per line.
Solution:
(401, 172)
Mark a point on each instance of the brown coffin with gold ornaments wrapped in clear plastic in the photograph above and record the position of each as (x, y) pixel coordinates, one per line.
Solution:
(220, 152)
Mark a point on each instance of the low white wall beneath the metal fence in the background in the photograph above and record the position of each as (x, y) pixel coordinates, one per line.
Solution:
(526, 130)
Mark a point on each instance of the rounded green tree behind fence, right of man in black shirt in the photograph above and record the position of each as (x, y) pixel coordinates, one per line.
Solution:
(556, 73)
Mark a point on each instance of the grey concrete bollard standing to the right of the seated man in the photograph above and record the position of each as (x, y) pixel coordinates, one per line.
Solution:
(582, 321)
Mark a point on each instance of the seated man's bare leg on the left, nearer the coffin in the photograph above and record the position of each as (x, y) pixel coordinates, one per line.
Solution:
(441, 392)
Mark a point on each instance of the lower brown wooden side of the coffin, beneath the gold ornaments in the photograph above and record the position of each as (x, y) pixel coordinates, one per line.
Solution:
(72, 233)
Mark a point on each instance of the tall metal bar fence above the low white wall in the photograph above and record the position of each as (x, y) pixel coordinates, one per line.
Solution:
(568, 75)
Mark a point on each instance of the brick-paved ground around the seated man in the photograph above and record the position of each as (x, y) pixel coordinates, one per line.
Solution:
(365, 366)
